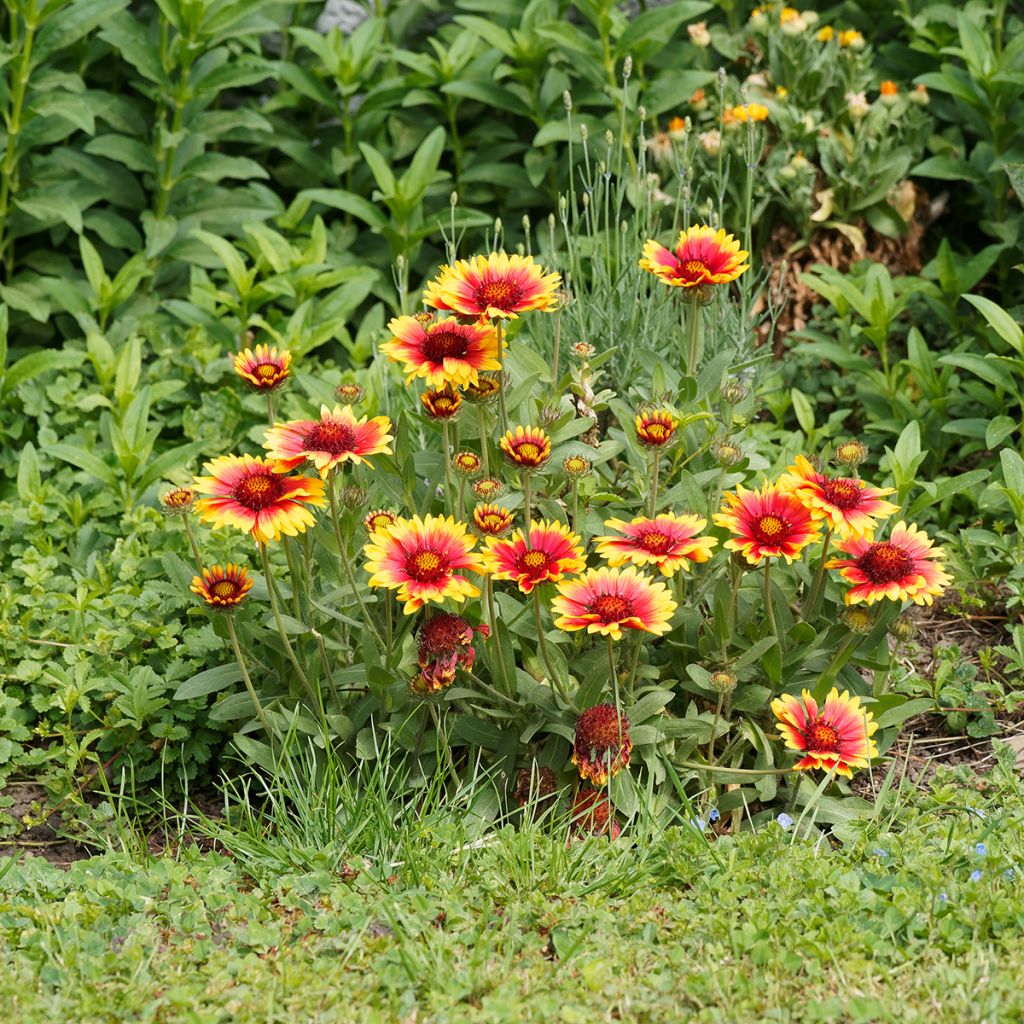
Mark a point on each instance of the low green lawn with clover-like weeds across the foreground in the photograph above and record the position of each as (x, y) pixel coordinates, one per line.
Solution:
(887, 926)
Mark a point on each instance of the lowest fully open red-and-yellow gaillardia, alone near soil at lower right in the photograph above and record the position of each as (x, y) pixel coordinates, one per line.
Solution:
(837, 738)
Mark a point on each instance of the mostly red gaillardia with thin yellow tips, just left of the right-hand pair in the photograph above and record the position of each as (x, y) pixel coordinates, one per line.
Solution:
(766, 524)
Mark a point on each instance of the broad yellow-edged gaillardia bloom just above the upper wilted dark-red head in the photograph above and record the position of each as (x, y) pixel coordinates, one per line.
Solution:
(422, 561)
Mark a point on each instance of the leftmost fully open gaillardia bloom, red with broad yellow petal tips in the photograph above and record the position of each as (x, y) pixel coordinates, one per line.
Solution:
(251, 495)
